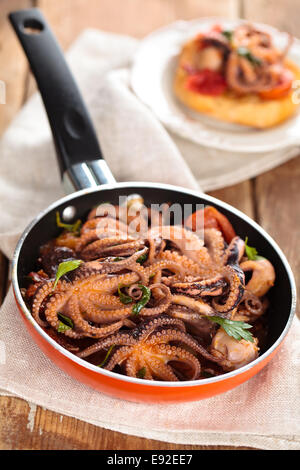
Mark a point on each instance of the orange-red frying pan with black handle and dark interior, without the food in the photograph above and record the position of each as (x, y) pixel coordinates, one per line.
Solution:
(84, 171)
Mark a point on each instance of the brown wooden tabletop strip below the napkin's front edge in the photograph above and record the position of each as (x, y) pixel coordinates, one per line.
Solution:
(25, 426)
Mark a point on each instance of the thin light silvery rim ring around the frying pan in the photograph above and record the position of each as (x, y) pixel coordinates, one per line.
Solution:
(137, 381)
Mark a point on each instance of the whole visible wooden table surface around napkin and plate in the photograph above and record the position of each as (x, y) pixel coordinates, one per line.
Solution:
(270, 199)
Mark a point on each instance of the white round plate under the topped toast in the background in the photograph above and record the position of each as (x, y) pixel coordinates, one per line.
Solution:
(152, 76)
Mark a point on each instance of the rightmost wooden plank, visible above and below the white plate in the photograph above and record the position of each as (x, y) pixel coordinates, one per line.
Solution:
(277, 191)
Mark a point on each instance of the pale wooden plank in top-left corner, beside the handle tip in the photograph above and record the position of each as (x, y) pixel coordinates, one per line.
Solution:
(14, 68)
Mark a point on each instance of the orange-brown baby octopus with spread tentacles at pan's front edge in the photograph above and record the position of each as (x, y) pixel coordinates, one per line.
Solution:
(147, 351)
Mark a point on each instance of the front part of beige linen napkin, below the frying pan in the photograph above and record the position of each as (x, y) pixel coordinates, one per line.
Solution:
(263, 412)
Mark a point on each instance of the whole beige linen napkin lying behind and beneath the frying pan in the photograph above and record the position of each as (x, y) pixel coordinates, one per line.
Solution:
(264, 412)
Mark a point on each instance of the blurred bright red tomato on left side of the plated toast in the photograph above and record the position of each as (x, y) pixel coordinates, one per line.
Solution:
(207, 82)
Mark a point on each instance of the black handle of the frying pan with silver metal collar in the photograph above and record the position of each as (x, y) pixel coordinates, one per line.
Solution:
(78, 151)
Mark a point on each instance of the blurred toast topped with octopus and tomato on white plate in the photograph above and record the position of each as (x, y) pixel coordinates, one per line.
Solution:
(237, 76)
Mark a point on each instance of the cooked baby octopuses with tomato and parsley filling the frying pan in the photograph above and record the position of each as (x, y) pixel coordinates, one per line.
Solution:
(135, 295)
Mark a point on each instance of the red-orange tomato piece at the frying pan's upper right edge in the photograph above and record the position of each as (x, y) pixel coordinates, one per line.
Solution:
(212, 219)
